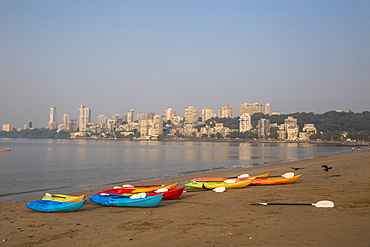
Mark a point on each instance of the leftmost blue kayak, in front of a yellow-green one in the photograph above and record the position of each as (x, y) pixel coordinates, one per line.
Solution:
(55, 206)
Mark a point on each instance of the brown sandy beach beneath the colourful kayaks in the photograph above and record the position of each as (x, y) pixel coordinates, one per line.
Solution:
(207, 218)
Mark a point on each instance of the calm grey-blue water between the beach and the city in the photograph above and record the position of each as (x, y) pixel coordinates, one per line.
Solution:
(37, 166)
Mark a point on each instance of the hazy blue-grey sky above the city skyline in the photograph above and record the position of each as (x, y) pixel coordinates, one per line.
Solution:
(113, 56)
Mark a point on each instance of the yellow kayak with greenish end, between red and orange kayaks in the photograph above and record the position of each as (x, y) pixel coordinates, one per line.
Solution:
(232, 184)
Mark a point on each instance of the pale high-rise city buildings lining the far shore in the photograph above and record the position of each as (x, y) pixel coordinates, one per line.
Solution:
(192, 124)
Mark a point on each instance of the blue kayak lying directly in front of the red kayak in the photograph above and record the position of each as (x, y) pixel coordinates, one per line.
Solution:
(126, 201)
